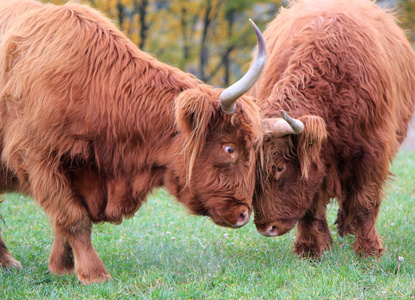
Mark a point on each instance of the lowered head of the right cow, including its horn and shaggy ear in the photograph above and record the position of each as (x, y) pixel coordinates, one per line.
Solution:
(290, 172)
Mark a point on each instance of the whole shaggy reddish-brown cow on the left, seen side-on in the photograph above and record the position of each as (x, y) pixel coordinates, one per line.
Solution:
(90, 125)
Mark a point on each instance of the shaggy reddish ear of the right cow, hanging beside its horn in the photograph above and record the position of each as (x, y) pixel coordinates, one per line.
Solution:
(310, 142)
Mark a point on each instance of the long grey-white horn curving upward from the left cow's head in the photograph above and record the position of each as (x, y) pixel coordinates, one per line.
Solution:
(229, 96)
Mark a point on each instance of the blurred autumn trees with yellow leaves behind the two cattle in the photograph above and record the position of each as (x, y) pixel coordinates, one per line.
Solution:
(209, 38)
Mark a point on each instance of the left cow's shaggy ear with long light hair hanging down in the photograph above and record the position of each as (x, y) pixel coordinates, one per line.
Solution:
(193, 113)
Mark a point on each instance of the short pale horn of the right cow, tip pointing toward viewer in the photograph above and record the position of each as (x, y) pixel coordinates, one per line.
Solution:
(283, 126)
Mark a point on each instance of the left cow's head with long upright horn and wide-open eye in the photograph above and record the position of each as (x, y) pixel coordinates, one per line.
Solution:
(220, 133)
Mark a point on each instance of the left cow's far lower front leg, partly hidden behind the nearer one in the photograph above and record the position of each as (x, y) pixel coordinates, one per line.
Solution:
(61, 260)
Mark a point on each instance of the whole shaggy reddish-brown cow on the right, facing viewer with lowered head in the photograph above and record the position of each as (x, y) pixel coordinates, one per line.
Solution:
(346, 71)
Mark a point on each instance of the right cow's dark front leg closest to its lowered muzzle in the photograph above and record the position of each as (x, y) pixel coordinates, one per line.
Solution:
(313, 233)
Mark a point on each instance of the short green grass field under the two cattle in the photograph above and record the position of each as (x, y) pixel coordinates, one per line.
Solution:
(164, 253)
